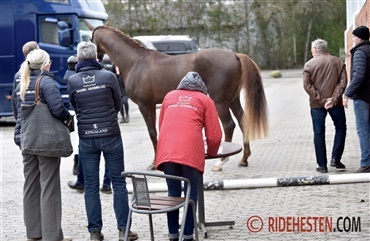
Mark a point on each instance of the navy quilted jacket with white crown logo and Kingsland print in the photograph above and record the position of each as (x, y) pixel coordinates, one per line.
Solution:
(96, 98)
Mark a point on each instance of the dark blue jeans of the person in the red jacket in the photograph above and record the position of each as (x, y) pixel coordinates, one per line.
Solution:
(174, 190)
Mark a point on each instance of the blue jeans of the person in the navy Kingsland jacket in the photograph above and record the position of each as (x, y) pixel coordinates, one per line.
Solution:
(89, 155)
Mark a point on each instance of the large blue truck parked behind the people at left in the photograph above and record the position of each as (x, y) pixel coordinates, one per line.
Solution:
(56, 25)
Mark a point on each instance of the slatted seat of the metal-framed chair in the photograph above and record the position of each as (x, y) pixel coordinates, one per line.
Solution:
(161, 203)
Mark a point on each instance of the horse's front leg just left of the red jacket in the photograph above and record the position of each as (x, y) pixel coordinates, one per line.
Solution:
(149, 114)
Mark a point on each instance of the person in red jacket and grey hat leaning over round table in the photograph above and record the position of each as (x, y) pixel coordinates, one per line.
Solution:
(187, 114)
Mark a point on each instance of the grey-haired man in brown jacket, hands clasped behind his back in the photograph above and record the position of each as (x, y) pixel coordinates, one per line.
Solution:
(324, 80)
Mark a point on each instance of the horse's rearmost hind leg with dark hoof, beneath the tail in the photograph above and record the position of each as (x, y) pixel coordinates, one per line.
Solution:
(238, 112)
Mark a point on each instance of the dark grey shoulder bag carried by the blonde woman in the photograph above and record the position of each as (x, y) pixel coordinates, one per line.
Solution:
(43, 134)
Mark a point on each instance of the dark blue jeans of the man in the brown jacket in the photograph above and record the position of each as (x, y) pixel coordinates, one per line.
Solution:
(338, 116)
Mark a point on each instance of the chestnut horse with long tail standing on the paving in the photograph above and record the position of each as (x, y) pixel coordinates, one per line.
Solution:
(149, 75)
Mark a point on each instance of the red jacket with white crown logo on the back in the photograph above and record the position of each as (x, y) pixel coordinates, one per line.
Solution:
(184, 114)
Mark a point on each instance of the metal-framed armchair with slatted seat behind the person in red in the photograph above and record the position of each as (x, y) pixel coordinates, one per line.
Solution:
(145, 203)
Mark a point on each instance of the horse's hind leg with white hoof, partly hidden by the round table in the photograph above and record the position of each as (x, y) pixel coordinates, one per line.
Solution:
(228, 126)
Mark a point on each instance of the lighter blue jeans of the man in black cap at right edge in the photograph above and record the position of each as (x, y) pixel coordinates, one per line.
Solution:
(362, 114)
